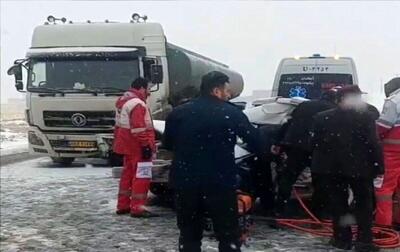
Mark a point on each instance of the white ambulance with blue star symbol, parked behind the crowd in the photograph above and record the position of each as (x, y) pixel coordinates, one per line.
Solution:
(308, 77)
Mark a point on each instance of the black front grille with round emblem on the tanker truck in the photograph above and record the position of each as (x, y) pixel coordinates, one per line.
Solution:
(81, 119)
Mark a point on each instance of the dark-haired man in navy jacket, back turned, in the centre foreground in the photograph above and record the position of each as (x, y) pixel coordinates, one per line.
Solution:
(202, 134)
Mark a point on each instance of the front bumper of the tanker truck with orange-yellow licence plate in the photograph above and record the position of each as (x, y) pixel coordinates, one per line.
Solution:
(62, 145)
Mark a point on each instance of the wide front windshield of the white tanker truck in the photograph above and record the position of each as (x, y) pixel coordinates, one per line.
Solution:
(102, 75)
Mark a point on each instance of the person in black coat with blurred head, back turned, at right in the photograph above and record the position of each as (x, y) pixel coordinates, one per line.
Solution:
(347, 153)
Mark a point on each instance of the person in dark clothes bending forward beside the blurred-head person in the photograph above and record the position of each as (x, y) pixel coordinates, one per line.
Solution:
(296, 144)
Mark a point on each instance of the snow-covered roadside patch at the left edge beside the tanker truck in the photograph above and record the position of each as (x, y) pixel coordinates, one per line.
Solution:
(13, 137)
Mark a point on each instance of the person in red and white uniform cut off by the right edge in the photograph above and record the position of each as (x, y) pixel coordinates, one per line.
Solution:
(389, 131)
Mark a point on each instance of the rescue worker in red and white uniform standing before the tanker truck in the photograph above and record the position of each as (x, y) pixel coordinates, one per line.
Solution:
(134, 138)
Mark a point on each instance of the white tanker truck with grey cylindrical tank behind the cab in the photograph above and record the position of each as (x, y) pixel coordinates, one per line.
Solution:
(76, 71)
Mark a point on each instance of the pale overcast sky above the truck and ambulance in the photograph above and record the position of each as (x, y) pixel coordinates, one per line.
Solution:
(251, 37)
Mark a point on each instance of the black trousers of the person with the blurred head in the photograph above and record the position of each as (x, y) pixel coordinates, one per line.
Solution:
(363, 192)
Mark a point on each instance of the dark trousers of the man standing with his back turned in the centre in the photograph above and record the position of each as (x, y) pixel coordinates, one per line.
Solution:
(217, 202)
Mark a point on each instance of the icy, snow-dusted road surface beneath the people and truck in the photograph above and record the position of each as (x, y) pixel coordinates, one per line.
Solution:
(49, 208)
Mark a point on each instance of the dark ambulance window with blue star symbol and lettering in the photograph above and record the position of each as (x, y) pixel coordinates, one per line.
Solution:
(310, 85)
